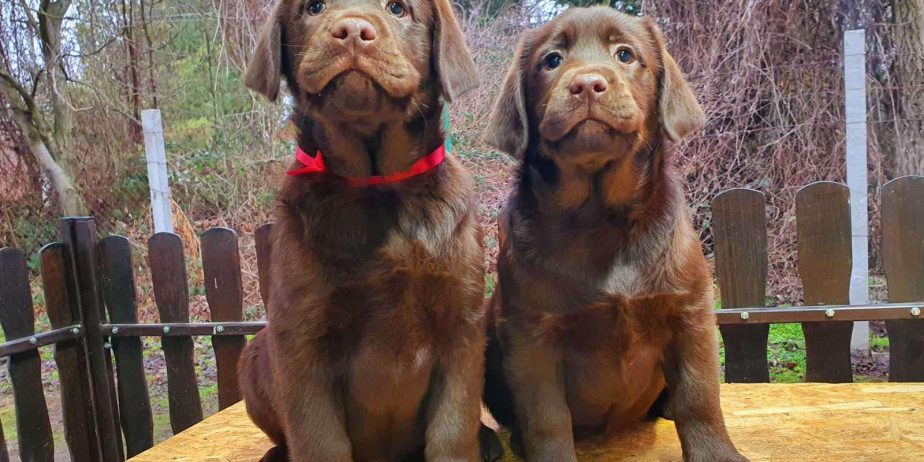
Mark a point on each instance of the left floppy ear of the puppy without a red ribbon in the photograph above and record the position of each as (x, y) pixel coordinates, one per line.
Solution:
(508, 127)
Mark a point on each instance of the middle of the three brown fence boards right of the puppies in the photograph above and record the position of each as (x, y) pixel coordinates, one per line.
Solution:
(823, 224)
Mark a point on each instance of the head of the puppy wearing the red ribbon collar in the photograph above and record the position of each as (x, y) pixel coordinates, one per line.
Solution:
(352, 59)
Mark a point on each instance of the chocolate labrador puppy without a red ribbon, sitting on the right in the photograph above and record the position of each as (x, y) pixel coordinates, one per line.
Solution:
(604, 301)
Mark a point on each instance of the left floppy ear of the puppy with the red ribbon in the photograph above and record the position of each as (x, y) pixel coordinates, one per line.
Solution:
(264, 70)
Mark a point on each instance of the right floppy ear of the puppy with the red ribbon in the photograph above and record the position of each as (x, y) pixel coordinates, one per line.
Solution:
(453, 60)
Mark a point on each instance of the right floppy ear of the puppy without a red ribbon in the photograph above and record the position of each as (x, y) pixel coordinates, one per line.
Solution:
(681, 114)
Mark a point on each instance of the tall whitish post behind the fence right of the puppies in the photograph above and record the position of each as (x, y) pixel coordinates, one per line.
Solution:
(857, 182)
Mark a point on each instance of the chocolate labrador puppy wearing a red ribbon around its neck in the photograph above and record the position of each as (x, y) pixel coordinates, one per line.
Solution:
(374, 349)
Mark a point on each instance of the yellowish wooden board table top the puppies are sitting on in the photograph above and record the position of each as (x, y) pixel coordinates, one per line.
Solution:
(767, 422)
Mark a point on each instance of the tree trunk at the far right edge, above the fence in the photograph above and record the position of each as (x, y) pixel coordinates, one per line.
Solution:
(908, 87)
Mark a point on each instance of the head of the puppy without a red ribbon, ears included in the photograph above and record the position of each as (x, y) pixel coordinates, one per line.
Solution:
(592, 85)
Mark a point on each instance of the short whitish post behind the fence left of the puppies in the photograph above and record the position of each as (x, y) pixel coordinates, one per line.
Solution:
(157, 170)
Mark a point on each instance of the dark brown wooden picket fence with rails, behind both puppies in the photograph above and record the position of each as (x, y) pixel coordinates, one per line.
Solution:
(90, 299)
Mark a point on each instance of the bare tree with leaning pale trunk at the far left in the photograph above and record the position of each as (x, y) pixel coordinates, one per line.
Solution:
(47, 129)
